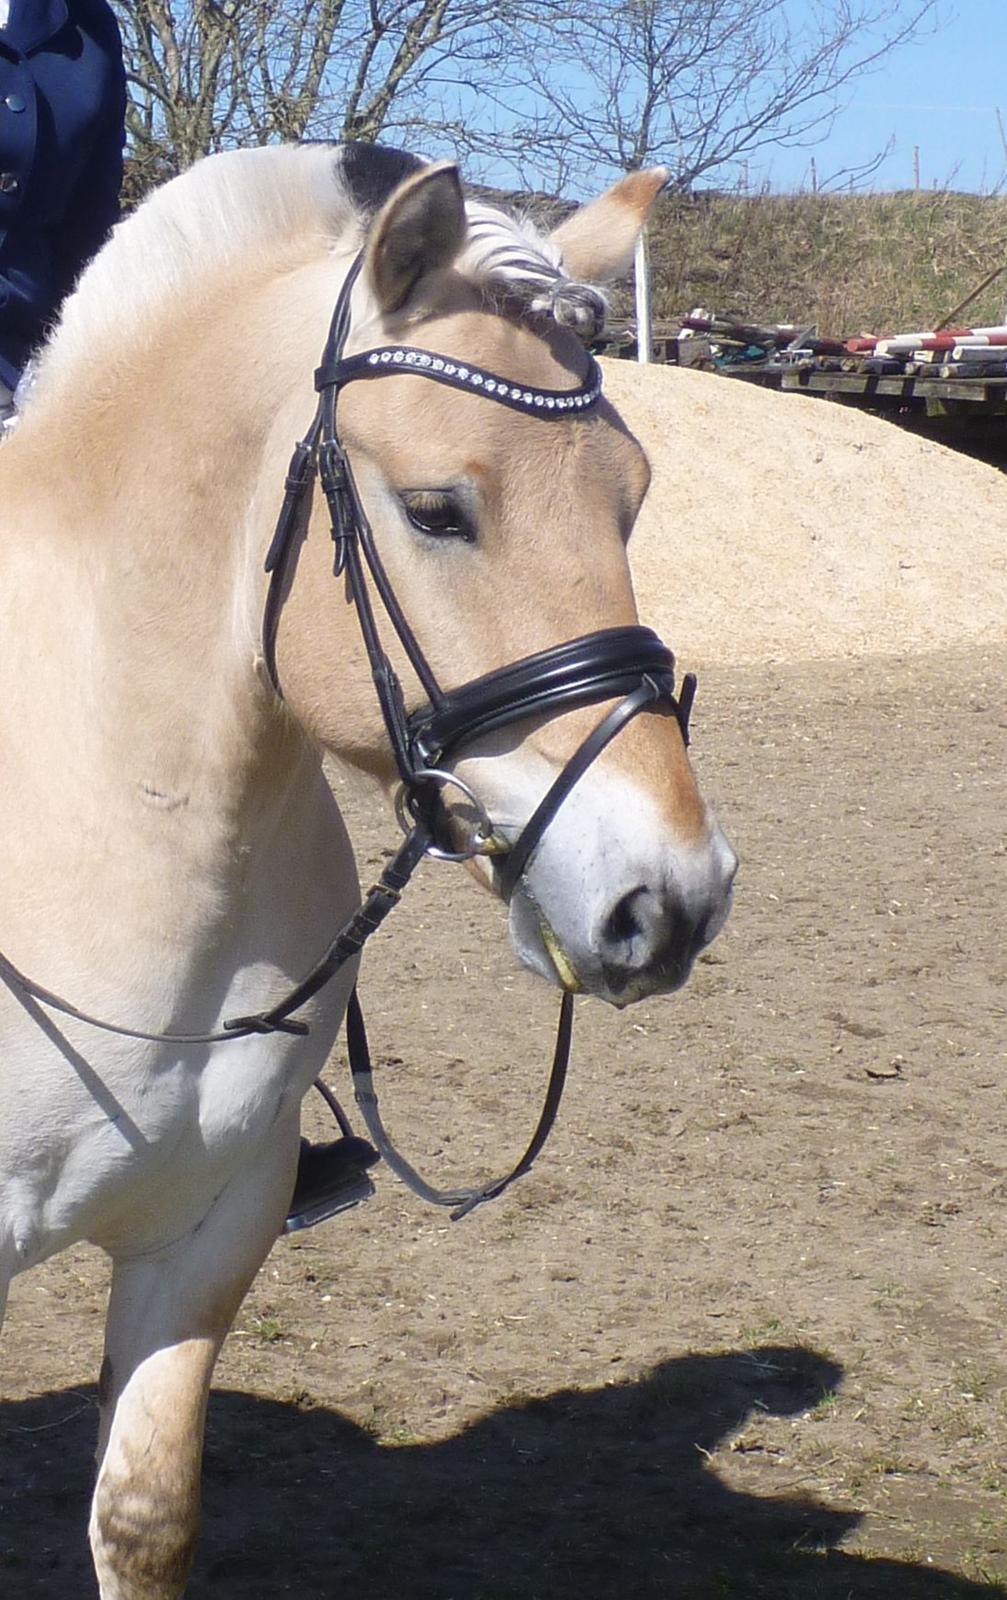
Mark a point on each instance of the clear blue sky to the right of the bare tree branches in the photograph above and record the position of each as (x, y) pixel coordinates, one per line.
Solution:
(939, 95)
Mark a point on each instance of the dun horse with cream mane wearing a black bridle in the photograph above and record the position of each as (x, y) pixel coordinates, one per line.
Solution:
(174, 854)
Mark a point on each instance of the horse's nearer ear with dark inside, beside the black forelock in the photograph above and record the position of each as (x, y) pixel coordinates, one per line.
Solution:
(420, 228)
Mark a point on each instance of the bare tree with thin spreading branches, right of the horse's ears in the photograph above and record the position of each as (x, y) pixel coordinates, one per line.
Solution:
(697, 84)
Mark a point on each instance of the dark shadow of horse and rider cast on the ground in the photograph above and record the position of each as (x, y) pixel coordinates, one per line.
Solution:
(584, 1494)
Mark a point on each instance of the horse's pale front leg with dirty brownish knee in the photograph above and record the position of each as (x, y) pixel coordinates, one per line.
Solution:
(167, 1321)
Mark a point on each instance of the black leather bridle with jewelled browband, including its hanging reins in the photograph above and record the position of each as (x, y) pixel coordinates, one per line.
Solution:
(628, 665)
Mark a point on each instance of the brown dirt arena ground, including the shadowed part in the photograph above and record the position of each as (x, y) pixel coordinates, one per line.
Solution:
(742, 1330)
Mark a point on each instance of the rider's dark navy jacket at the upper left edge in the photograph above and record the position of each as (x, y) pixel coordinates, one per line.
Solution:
(62, 134)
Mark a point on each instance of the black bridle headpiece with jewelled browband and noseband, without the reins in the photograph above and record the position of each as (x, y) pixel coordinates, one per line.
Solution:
(630, 665)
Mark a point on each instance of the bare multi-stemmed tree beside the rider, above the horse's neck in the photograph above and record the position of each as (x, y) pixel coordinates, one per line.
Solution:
(211, 74)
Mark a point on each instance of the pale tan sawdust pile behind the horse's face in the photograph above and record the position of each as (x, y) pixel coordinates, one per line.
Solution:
(784, 527)
